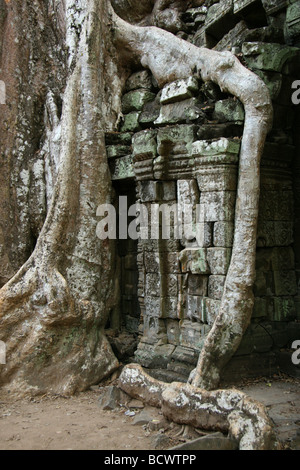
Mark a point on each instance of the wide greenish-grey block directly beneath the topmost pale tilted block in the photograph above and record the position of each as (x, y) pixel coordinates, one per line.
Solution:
(179, 112)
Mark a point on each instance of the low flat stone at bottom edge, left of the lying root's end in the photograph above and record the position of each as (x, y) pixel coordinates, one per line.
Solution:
(214, 441)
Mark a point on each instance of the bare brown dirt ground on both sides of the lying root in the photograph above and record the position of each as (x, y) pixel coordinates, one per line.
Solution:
(79, 423)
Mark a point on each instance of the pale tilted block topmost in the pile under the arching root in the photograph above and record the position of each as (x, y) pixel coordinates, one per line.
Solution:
(179, 90)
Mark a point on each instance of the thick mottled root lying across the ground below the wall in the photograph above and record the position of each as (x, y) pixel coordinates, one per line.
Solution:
(229, 411)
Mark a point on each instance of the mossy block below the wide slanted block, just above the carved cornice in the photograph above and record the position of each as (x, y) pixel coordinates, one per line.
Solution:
(176, 139)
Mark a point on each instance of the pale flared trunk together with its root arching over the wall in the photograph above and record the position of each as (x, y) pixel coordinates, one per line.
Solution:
(53, 311)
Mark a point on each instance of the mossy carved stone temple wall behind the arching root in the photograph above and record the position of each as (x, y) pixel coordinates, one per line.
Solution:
(181, 145)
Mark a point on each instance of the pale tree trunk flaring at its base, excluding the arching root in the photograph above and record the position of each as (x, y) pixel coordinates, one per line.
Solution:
(54, 310)
